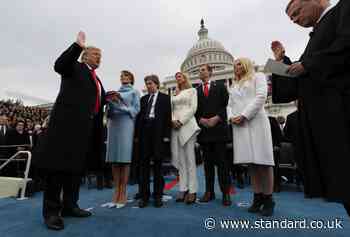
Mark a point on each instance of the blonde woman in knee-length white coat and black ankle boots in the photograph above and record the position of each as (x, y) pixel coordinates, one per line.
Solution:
(252, 141)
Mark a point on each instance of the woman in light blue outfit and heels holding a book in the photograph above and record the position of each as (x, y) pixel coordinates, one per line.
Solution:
(121, 122)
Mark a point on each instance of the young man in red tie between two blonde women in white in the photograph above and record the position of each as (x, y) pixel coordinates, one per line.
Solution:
(212, 118)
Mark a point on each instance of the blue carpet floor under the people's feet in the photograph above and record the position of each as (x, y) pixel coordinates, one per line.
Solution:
(23, 218)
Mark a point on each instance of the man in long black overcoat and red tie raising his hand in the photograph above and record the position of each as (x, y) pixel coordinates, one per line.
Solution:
(74, 136)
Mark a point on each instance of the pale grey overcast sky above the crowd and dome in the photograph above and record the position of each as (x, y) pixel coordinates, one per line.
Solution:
(144, 37)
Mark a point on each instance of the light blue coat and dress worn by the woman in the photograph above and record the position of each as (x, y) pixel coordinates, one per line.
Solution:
(121, 125)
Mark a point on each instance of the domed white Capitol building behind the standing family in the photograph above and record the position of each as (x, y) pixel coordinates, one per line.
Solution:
(212, 52)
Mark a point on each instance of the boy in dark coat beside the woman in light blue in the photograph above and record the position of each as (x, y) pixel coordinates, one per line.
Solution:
(154, 126)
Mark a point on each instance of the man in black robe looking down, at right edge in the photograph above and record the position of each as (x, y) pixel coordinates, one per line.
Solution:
(322, 87)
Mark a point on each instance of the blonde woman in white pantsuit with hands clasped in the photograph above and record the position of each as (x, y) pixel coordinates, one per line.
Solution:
(183, 138)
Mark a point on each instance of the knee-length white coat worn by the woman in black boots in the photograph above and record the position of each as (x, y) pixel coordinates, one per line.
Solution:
(252, 141)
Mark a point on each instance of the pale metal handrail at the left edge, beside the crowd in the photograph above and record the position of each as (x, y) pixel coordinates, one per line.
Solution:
(26, 172)
